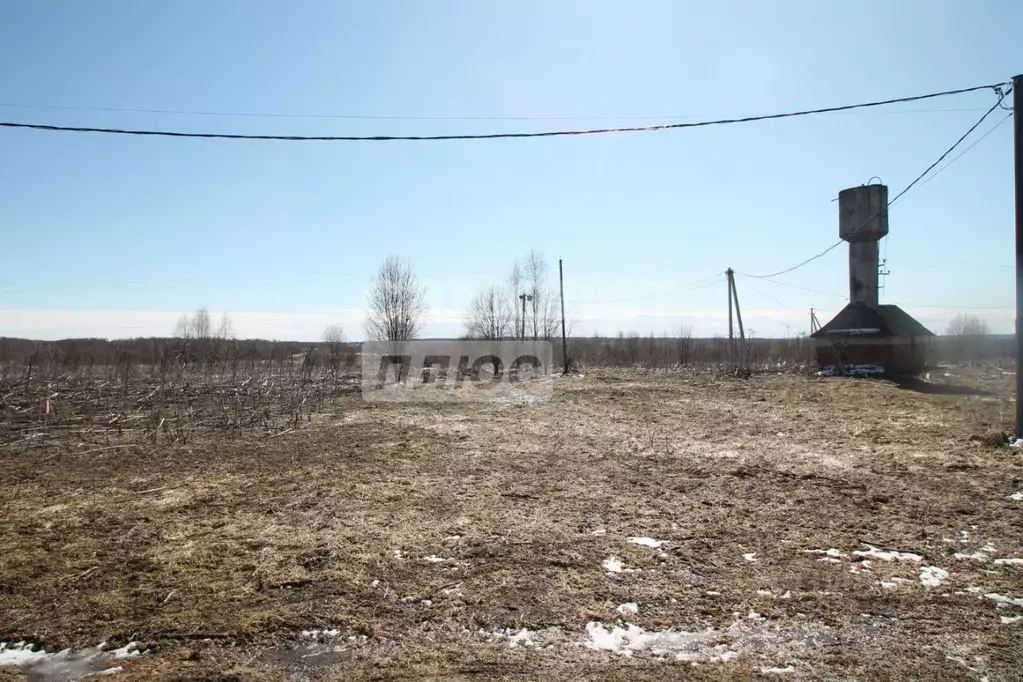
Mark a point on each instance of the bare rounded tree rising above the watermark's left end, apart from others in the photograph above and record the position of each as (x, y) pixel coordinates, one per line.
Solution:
(397, 303)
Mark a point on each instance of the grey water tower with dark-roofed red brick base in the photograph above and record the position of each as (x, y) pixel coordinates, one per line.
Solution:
(867, 338)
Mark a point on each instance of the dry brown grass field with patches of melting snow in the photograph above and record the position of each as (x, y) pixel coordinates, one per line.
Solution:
(640, 526)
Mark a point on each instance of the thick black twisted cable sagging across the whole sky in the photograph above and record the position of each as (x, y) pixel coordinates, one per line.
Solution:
(492, 137)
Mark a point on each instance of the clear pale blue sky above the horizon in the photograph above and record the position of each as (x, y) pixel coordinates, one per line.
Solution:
(116, 237)
